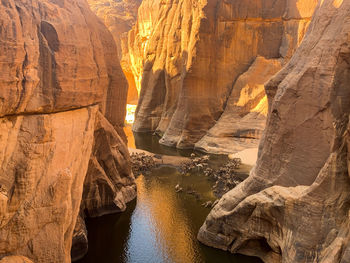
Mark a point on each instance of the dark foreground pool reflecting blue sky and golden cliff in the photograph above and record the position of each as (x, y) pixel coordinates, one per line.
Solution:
(161, 226)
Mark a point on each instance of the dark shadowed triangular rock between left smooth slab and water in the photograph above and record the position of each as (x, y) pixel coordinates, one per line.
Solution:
(109, 183)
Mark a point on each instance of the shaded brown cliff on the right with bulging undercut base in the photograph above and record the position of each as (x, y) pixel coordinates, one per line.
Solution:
(294, 207)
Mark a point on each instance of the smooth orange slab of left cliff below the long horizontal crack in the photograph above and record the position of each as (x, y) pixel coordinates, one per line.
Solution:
(44, 160)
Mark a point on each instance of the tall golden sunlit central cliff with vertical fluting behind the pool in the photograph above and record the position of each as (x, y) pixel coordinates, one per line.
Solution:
(186, 58)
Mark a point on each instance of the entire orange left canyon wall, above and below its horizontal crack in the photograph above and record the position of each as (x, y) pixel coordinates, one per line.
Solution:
(61, 89)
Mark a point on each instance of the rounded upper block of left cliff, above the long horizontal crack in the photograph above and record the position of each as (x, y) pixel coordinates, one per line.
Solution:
(55, 62)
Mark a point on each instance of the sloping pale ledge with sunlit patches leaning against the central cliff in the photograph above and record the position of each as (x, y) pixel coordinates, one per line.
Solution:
(243, 121)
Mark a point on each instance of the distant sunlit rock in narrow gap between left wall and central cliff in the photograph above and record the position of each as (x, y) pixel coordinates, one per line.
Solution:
(119, 16)
